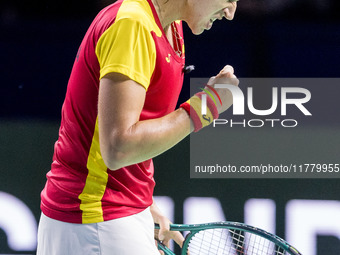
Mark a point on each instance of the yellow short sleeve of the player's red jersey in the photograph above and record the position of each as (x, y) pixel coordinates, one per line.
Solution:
(127, 47)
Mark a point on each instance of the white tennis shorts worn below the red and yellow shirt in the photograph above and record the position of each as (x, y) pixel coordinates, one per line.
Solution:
(125, 236)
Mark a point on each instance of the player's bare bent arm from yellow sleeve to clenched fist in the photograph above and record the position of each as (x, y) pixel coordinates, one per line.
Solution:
(124, 139)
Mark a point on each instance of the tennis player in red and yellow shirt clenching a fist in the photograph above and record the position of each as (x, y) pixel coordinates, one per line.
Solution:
(119, 112)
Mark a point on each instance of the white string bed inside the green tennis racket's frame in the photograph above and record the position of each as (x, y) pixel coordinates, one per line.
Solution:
(231, 242)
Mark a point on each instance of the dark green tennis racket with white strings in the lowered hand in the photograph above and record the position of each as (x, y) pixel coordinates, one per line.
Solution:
(228, 238)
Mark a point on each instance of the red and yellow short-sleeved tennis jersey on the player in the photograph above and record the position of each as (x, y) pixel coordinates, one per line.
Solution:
(125, 37)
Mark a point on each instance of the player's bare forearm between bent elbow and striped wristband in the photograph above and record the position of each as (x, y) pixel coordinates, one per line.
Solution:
(146, 139)
